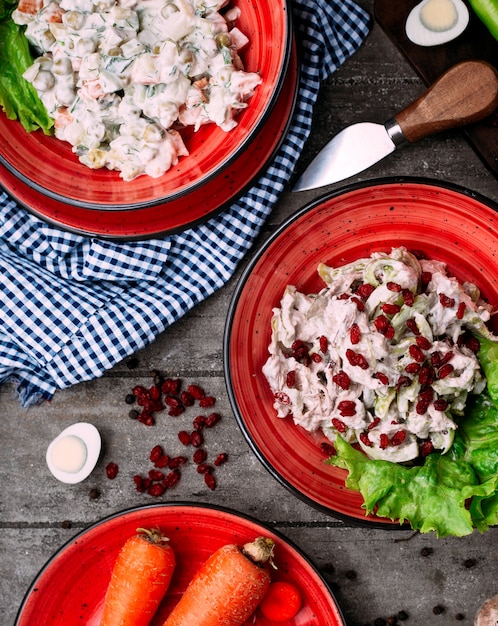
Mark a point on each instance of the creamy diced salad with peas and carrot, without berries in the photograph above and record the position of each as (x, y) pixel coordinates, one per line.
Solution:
(120, 78)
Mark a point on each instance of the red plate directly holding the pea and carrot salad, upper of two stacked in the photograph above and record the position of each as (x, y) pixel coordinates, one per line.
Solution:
(51, 168)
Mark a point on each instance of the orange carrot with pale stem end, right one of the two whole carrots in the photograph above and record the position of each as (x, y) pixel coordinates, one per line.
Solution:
(227, 588)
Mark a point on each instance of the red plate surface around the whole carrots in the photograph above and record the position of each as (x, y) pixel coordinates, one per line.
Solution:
(70, 588)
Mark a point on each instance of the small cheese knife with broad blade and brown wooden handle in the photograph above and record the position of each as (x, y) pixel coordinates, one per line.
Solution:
(466, 93)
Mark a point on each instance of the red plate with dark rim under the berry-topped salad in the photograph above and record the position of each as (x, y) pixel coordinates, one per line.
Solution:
(447, 223)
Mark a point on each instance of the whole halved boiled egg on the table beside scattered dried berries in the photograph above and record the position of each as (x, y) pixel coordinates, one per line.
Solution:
(73, 454)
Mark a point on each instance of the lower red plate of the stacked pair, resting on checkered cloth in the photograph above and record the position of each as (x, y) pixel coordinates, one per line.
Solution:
(174, 215)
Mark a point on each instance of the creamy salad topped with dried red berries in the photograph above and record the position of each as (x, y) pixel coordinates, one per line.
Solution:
(384, 356)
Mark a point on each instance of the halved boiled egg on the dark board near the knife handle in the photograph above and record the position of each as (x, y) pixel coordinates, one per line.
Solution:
(435, 22)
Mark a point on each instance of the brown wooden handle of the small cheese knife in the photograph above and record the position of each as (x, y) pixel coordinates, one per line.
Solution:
(466, 93)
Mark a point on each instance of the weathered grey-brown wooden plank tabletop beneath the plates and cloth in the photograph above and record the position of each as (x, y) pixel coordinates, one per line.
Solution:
(373, 573)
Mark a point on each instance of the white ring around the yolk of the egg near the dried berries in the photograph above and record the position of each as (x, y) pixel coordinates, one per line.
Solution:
(90, 436)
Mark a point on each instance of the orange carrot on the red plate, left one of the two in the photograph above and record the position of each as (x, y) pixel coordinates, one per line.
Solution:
(139, 580)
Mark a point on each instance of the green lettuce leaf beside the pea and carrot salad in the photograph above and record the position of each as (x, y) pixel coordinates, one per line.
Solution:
(18, 98)
